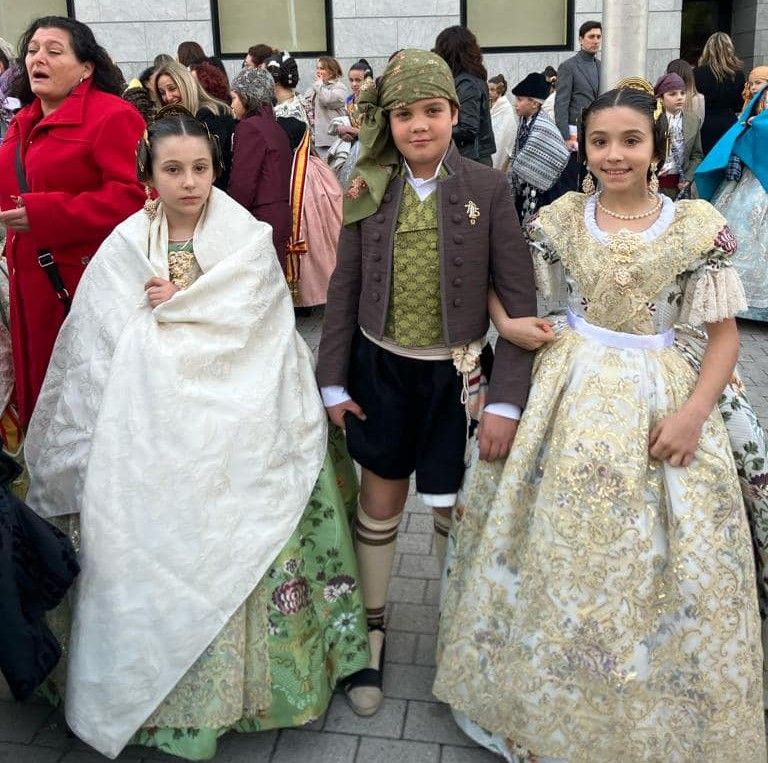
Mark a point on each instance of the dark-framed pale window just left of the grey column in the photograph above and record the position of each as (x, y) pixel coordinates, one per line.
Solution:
(502, 26)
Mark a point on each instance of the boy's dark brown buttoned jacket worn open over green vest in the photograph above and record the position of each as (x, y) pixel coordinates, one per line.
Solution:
(492, 251)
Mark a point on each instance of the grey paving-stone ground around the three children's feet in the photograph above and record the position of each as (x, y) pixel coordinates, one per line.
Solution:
(411, 727)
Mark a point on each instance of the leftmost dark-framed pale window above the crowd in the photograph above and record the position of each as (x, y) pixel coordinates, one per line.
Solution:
(302, 27)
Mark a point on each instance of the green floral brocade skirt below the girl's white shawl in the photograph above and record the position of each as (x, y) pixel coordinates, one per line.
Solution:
(276, 662)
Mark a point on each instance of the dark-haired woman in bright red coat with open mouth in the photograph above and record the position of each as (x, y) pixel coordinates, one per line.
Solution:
(76, 142)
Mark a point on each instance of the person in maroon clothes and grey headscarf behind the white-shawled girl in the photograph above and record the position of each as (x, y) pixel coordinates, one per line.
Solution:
(261, 156)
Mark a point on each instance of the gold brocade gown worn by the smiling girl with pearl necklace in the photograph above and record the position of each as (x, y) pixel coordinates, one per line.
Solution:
(601, 605)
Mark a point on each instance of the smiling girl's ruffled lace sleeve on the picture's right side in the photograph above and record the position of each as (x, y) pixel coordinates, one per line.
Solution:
(714, 291)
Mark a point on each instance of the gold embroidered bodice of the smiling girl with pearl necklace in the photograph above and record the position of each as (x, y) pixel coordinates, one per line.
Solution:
(631, 282)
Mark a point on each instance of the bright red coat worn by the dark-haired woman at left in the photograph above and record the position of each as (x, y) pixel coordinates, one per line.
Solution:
(80, 164)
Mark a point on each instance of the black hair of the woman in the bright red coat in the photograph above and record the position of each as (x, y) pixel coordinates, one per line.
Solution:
(106, 75)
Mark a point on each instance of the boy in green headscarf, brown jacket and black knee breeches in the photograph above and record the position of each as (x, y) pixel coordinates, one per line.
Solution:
(427, 234)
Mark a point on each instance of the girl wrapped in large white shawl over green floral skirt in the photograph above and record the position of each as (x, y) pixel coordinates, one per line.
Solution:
(181, 440)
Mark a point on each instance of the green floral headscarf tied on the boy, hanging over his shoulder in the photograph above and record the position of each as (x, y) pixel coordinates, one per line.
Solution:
(410, 76)
